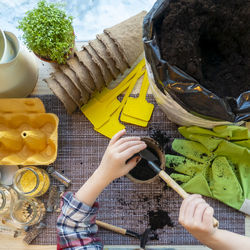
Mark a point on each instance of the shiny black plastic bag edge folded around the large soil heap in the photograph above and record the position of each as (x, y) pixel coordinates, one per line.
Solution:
(183, 88)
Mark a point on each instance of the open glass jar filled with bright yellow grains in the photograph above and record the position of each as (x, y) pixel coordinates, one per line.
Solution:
(31, 181)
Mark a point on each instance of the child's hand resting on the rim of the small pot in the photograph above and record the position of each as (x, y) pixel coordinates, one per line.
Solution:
(119, 150)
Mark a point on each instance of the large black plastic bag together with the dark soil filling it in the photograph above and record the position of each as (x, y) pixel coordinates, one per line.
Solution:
(199, 53)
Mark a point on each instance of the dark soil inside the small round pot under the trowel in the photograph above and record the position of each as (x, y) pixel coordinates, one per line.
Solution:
(142, 171)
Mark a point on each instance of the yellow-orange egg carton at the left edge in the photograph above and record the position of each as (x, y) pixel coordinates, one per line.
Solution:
(28, 138)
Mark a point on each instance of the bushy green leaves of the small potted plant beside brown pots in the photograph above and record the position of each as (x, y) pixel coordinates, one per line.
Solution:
(48, 31)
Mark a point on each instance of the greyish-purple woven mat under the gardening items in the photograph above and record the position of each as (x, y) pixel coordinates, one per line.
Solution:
(122, 203)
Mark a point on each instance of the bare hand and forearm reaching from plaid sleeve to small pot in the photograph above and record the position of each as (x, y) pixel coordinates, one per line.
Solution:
(113, 165)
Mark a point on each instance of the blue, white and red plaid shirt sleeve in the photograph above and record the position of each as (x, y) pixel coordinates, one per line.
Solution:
(76, 226)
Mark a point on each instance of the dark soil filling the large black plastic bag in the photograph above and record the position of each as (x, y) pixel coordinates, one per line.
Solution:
(209, 40)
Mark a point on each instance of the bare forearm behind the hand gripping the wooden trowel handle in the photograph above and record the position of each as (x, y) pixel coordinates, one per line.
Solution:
(225, 240)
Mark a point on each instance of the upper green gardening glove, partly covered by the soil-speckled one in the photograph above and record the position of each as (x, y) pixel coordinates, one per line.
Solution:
(232, 142)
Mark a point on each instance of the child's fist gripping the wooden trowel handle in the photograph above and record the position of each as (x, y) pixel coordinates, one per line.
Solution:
(197, 217)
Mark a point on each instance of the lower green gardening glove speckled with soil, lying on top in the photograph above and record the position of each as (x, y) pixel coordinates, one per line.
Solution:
(216, 181)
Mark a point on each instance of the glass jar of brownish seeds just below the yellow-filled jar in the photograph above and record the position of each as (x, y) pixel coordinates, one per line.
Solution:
(27, 211)
